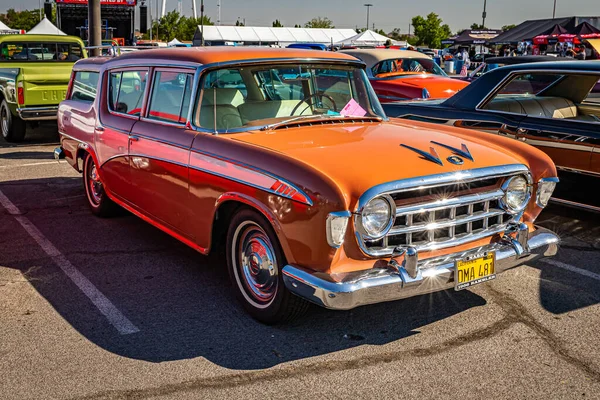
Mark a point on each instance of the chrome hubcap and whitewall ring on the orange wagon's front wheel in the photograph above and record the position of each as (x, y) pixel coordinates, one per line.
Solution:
(257, 263)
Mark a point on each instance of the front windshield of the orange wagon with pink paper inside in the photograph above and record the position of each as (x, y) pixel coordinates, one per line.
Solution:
(247, 97)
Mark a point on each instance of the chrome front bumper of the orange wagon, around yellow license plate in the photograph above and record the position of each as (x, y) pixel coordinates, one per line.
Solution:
(399, 281)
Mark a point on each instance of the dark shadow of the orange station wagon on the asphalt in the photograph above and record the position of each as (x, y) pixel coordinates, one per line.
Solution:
(181, 302)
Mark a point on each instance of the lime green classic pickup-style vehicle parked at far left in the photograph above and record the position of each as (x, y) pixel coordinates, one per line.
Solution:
(34, 75)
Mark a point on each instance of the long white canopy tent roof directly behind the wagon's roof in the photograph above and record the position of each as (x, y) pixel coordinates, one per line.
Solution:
(218, 35)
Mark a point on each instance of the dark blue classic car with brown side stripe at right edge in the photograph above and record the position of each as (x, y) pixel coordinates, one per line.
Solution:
(553, 106)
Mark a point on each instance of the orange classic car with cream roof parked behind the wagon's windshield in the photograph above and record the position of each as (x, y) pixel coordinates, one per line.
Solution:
(405, 75)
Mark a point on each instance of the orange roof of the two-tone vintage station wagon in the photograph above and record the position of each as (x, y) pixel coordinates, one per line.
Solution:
(218, 54)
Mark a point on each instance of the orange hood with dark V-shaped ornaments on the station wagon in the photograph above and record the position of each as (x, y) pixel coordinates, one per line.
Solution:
(358, 156)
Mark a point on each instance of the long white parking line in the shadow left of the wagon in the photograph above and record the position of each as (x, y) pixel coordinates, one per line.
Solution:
(108, 309)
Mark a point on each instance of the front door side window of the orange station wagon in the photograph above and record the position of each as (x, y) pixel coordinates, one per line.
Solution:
(171, 93)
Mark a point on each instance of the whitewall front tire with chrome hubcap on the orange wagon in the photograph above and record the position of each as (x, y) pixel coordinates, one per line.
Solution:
(255, 262)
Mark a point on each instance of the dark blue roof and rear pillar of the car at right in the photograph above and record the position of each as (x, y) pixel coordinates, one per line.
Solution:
(470, 96)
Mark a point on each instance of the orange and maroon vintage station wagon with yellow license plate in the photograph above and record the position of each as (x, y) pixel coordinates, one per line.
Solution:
(286, 159)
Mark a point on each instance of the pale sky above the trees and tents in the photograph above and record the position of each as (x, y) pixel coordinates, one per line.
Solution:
(385, 14)
